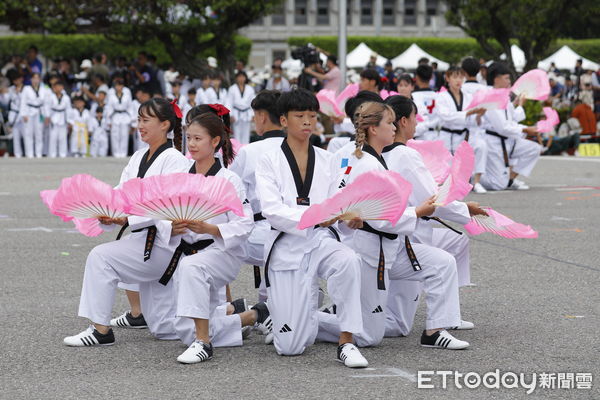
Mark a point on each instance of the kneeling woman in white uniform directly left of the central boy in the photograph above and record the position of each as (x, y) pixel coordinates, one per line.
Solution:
(218, 243)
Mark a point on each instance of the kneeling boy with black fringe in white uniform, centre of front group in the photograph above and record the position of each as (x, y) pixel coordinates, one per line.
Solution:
(289, 179)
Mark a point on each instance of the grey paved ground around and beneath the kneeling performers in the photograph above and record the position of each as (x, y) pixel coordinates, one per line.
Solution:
(535, 306)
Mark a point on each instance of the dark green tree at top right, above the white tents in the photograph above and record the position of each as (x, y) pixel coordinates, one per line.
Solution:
(534, 24)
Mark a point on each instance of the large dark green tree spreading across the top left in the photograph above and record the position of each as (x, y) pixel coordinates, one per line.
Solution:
(185, 28)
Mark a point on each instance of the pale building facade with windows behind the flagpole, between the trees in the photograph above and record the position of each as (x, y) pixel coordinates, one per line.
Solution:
(408, 18)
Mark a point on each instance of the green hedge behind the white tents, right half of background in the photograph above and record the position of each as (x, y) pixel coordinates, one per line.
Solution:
(447, 49)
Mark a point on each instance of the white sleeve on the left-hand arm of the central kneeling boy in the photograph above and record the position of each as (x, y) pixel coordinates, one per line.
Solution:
(280, 216)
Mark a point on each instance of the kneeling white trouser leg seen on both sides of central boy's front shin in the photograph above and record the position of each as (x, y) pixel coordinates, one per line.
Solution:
(373, 303)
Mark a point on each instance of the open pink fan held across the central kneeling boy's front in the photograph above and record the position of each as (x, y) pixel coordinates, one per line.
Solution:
(374, 195)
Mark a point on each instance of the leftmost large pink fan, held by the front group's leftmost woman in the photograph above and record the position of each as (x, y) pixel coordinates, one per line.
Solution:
(83, 196)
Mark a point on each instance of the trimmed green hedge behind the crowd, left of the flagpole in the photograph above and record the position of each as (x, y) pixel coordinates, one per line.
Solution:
(85, 46)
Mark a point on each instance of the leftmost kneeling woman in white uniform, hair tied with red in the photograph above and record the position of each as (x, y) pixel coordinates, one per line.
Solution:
(126, 260)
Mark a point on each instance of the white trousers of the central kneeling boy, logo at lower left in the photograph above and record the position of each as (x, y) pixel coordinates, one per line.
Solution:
(293, 296)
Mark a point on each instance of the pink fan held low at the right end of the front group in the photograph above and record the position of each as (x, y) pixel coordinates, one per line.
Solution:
(499, 224)
